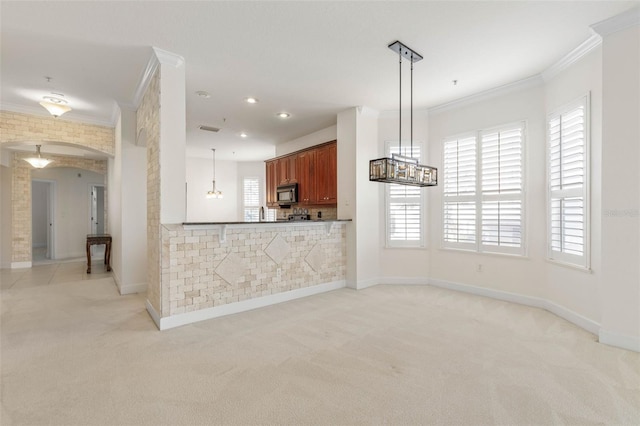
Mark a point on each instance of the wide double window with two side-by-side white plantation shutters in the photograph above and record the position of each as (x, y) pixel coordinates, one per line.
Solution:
(483, 199)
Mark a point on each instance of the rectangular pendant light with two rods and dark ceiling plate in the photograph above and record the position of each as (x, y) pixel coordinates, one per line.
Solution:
(401, 169)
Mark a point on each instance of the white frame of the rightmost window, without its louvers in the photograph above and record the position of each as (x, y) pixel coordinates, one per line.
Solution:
(584, 261)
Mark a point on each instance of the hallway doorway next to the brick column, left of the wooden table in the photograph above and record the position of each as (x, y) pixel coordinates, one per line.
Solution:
(42, 219)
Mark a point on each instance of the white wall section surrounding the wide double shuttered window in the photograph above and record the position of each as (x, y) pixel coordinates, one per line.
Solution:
(521, 275)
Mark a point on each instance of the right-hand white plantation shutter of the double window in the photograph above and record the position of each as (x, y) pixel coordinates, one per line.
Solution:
(502, 189)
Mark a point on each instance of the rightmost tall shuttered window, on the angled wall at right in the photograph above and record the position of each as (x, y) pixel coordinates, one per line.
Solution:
(568, 183)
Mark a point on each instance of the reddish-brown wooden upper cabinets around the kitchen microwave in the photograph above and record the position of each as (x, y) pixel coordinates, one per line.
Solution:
(315, 171)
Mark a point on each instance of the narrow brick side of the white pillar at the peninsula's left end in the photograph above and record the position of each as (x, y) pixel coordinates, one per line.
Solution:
(148, 122)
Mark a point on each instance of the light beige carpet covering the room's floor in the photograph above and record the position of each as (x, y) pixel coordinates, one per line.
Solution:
(78, 353)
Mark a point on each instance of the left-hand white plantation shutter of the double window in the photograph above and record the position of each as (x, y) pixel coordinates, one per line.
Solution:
(459, 209)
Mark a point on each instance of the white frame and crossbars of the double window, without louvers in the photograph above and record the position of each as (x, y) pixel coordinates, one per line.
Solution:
(478, 197)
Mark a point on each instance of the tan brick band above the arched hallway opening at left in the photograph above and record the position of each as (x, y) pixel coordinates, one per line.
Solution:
(18, 127)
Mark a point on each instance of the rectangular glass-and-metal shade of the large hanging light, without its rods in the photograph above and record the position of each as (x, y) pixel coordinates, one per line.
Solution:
(403, 171)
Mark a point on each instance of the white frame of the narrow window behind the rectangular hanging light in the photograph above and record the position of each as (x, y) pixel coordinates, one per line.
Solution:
(395, 243)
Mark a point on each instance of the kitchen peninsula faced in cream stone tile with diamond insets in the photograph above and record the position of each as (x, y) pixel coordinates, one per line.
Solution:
(221, 268)
